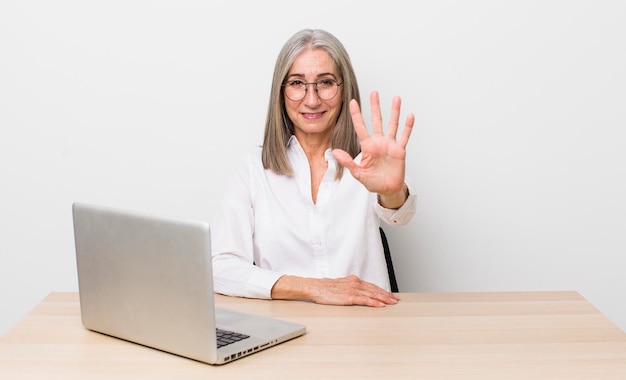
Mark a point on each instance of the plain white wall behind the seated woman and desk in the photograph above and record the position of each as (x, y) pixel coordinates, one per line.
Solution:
(518, 155)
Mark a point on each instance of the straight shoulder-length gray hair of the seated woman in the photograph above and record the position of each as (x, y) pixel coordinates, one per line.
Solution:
(278, 126)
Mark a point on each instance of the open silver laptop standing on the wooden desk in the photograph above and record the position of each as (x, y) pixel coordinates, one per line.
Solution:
(147, 279)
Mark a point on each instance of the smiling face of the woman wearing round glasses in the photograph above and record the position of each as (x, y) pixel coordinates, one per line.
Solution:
(312, 116)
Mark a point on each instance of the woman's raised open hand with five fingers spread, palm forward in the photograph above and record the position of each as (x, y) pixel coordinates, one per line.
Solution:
(382, 166)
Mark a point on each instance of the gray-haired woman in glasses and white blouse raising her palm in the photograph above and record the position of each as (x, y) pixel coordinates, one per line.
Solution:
(292, 224)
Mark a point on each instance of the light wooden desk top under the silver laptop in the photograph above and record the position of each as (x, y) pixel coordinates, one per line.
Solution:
(527, 335)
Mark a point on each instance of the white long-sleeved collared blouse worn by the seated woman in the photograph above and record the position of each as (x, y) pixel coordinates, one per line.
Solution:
(267, 226)
